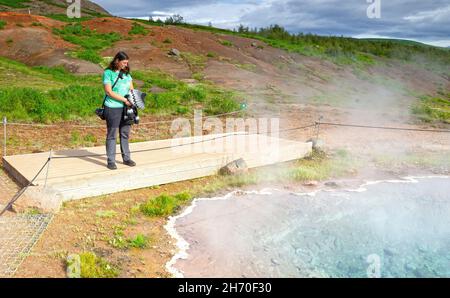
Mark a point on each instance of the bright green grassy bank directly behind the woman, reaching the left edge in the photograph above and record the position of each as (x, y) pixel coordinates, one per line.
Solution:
(51, 94)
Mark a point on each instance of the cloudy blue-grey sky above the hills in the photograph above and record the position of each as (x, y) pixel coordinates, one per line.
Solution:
(425, 21)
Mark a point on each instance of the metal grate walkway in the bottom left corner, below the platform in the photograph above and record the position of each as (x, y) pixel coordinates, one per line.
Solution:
(18, 235)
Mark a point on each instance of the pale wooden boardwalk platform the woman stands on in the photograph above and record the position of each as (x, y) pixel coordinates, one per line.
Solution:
(82, 173)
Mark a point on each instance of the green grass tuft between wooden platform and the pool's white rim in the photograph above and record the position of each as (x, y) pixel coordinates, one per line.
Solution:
(164, 204)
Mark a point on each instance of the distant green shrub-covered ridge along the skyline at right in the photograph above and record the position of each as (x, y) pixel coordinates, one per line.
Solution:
(341, 50)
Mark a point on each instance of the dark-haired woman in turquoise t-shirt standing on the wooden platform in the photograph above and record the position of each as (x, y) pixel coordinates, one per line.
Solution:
(117, 82)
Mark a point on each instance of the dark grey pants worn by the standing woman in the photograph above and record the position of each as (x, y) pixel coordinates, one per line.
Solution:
(114, 122)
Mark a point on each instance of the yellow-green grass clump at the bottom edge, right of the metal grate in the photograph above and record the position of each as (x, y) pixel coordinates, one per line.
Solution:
(93, 266)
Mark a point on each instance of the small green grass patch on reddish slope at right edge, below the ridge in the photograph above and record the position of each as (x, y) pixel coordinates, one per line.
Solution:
(433, 108)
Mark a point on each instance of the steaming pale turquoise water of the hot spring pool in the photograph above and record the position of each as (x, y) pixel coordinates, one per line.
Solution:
(385, 230)
